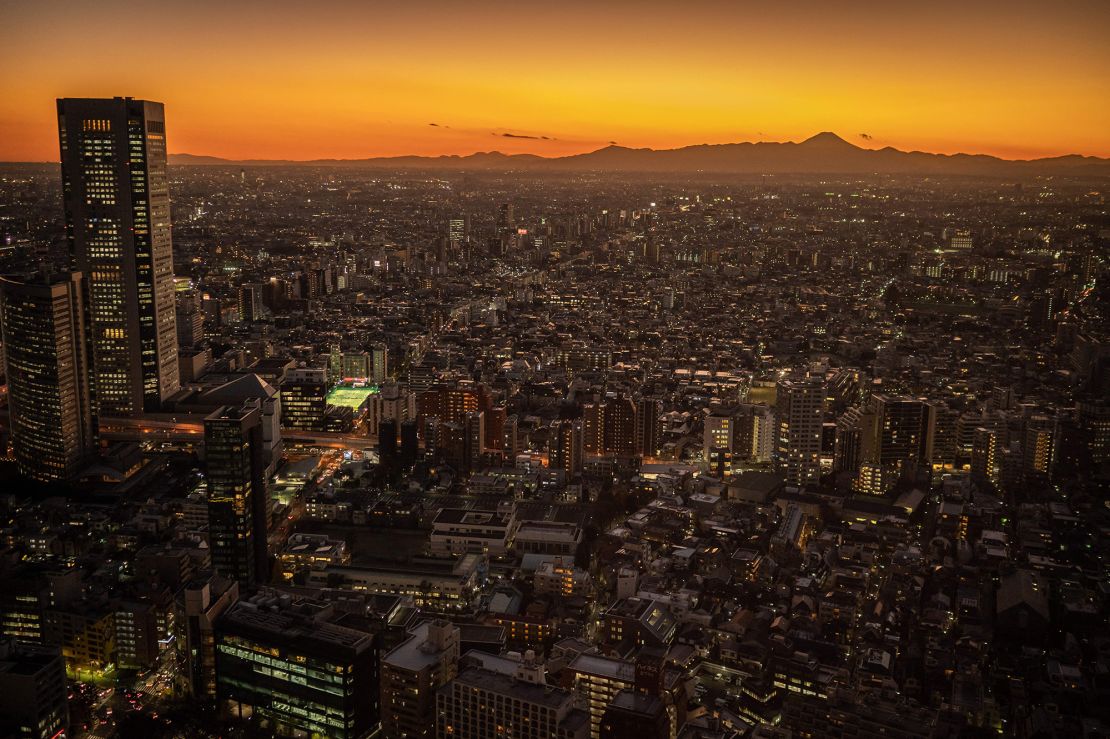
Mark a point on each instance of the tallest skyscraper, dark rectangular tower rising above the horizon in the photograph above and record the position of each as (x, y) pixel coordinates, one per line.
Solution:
(118, 226)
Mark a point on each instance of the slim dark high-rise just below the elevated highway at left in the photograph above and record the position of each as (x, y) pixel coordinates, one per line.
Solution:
(238, 501)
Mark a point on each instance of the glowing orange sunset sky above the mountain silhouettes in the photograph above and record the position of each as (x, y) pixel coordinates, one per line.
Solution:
(362, 78)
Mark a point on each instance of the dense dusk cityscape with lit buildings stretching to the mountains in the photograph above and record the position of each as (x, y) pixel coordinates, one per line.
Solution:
(400, 452)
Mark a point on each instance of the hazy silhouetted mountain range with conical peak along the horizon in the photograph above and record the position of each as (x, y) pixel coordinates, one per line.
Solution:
(825, 154)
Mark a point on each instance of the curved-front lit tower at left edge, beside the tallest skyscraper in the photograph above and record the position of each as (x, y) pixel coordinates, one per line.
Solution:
(47, 366)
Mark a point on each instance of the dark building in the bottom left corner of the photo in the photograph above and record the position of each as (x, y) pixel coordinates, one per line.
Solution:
(34, 697)
